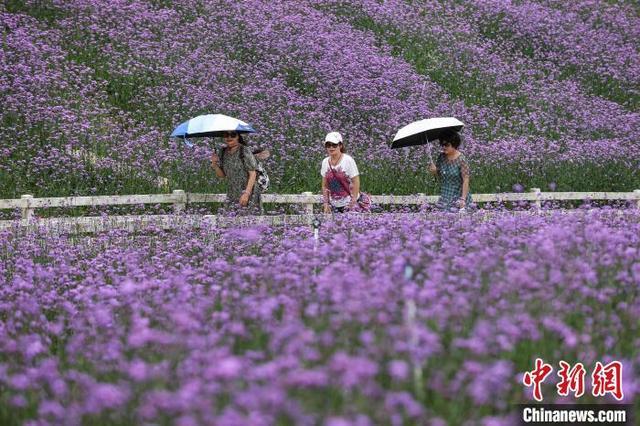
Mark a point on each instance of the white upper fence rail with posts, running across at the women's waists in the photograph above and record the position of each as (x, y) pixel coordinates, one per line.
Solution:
(179, 199)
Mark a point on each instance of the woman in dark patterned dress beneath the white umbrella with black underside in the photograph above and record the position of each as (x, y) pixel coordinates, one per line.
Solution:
(452, 169)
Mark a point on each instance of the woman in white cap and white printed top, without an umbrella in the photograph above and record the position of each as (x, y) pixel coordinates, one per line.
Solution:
(340, 176)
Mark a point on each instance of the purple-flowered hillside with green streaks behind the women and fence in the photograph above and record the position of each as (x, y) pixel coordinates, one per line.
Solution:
(549, 90)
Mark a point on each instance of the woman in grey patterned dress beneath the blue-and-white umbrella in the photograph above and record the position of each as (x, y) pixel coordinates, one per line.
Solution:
(236, 163)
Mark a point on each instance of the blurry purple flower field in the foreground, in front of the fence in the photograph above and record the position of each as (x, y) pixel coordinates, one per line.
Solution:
(385, 320)
